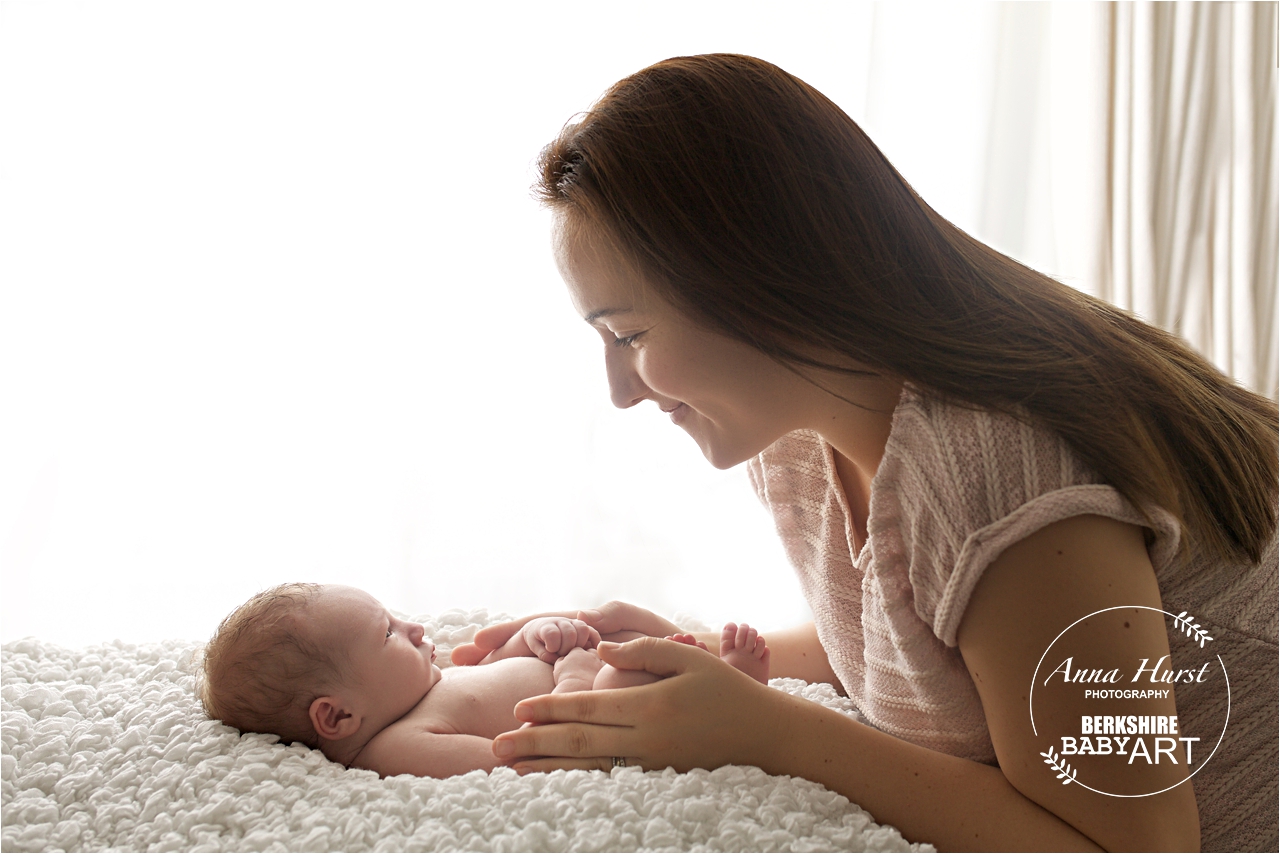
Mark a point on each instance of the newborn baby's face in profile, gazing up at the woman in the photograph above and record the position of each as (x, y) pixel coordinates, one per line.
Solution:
(391, 660)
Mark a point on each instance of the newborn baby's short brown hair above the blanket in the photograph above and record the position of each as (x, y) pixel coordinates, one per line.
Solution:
(262, 669)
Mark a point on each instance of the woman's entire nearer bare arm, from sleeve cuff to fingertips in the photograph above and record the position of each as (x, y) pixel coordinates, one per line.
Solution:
(708, 715)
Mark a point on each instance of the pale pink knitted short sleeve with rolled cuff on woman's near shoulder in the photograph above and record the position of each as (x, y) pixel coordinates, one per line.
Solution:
(958, 487)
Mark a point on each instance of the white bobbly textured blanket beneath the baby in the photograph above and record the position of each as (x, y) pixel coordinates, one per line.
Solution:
(108, 748)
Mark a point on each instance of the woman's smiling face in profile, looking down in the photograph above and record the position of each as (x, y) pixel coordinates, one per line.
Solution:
(732, 399)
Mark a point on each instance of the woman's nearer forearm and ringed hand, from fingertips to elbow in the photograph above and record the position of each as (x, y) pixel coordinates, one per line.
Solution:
(708, 715)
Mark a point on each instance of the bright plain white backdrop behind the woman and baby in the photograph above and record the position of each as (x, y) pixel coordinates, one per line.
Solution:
(276, 304)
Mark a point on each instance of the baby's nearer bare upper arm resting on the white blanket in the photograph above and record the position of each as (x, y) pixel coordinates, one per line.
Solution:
(405, 750)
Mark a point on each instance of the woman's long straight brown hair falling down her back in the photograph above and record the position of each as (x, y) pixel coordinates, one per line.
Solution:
(758, 208)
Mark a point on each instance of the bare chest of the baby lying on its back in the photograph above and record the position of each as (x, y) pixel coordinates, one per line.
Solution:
(482, 700)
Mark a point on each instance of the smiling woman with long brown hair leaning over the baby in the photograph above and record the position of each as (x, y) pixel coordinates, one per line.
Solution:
(963, 456)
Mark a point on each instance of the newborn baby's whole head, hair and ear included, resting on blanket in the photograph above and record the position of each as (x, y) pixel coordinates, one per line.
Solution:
(316, 665)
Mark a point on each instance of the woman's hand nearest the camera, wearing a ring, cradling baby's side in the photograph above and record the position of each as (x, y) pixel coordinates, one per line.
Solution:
(703, 715)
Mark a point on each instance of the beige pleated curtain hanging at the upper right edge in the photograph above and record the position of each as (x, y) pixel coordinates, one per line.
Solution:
(1192, 176)
